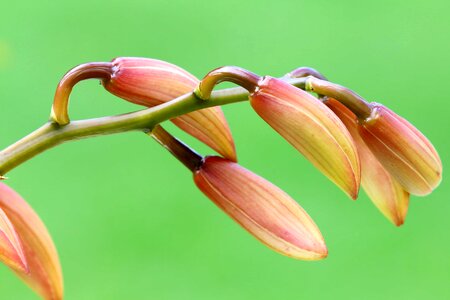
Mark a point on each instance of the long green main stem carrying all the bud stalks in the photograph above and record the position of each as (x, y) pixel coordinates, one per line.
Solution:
(51, 134)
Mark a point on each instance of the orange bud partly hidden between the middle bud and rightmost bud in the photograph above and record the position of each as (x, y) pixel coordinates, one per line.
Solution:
(382, 188)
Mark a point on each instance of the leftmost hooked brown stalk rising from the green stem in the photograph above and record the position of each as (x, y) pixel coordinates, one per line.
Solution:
(98, 70)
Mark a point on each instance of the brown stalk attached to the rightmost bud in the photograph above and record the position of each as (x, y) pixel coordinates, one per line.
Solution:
(360, 107)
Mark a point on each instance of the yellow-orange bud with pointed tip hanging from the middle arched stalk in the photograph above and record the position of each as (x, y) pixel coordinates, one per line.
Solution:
(312, 128)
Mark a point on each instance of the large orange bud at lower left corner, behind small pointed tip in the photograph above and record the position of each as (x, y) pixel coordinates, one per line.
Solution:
(44, 271)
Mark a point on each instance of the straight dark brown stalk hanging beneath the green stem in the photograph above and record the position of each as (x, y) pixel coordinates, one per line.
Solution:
(186, 155)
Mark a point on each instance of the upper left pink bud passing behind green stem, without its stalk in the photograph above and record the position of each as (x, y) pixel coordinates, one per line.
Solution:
(151, 82)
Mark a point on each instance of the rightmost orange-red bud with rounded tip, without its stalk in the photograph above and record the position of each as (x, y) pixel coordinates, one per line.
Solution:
(403, 150)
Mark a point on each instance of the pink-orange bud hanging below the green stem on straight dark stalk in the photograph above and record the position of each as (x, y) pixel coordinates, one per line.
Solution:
(261, 208)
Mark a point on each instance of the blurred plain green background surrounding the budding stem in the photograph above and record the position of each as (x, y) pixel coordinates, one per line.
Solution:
(126, 217)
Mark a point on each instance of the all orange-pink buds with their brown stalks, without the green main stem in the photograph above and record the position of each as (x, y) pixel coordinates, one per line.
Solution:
(349, 140)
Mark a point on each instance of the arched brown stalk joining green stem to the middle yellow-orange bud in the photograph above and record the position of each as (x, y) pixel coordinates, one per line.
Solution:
(237, 75)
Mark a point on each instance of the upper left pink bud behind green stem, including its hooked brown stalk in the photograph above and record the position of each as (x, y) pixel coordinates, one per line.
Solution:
(150, 82)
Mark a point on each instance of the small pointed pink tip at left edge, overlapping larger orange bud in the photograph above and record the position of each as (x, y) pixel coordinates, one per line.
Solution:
(11, 252)
